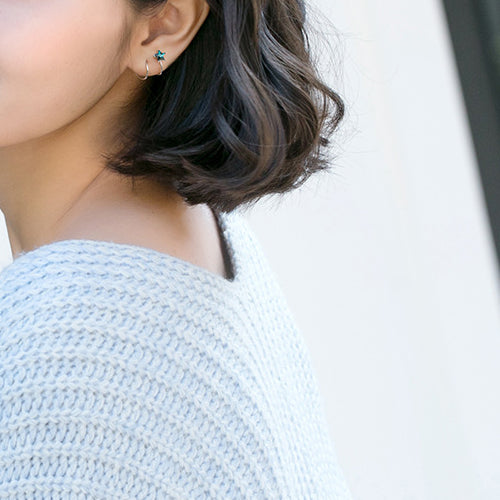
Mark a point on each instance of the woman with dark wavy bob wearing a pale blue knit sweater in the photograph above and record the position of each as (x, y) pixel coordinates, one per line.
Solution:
(147, 349)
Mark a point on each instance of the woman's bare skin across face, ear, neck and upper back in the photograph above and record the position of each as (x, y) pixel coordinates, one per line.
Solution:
(64, 73)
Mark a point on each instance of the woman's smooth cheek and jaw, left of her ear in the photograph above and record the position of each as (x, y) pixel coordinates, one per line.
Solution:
(55, 63)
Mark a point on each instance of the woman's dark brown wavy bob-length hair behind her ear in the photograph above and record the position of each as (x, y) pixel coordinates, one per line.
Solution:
(240, 114)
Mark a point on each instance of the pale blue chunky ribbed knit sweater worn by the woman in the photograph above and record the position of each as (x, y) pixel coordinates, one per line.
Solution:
(129, 373)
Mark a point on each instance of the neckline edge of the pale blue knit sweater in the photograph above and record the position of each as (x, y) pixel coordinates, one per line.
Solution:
(161, 261)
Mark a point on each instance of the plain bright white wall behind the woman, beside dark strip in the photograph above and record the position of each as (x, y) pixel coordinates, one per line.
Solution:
(389, 266)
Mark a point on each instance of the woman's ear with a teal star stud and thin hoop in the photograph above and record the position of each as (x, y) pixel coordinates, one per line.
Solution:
(169, 29)
